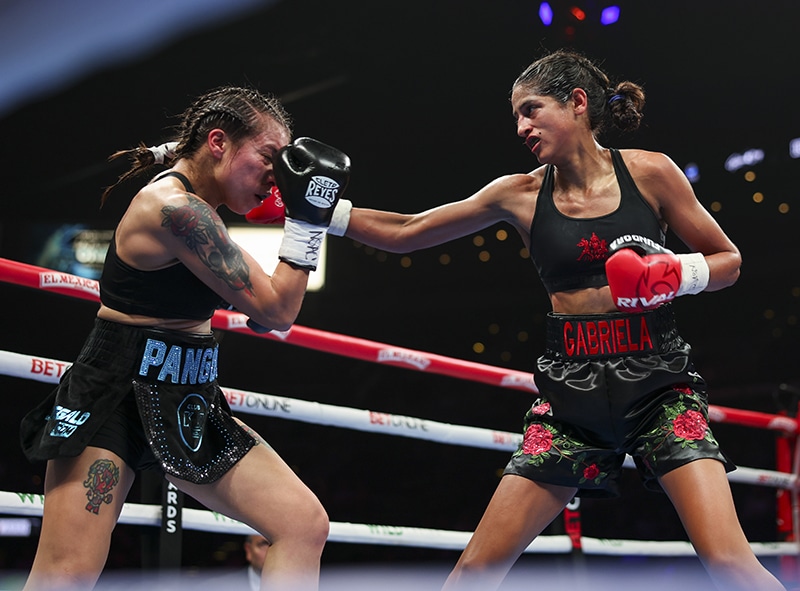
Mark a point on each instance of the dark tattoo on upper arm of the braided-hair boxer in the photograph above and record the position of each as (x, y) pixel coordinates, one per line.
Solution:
(205, 234)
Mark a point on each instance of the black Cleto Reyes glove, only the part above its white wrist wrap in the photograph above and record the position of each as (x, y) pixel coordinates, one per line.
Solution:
(311, 176)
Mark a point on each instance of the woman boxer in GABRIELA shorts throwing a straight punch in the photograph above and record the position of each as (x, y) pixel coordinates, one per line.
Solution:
(616, 378)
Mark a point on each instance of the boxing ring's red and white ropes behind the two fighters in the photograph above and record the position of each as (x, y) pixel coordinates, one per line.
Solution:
(784, 479)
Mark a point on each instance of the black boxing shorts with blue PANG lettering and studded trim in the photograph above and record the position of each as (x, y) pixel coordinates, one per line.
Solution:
(150, 396)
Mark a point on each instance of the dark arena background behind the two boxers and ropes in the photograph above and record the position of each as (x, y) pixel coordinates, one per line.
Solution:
(416, 93)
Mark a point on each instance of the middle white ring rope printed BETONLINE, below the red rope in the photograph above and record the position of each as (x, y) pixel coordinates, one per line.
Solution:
(50, 370)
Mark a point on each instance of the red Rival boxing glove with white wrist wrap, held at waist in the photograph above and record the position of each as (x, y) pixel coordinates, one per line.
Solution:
(642, 274)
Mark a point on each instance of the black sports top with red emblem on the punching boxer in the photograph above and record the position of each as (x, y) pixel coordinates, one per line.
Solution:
(570, 253)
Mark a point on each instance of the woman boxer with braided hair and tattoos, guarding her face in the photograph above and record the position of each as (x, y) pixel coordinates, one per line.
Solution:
(143, 392)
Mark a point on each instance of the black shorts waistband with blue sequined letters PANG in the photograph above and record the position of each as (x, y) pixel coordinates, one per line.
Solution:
(152, 354)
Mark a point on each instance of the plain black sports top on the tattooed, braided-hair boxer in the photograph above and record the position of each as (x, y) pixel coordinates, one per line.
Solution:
(171, 292)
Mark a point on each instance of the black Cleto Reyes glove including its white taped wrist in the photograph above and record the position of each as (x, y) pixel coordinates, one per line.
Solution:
(311, 177)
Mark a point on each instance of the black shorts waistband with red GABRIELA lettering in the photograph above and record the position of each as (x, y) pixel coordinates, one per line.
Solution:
(617, 334)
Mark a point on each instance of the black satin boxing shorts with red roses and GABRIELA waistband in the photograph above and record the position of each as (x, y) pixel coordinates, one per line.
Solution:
(612, 385)
